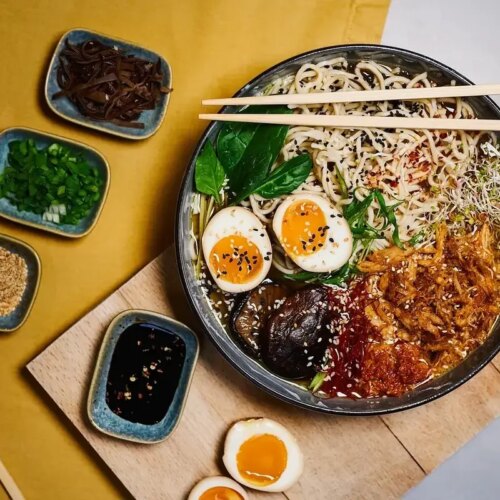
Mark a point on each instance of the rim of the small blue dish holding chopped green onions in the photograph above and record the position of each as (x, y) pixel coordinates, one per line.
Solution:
(101, 203)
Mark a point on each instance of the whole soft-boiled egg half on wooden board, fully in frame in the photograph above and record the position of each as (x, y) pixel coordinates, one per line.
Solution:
(263, 455)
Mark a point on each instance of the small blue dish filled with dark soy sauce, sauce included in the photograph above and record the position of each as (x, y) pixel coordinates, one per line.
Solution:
(142, 377)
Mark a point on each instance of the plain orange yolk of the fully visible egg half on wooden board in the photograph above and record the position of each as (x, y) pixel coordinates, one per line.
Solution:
(262, 459)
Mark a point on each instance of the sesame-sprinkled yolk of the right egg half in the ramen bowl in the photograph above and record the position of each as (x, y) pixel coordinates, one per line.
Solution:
(303, 231)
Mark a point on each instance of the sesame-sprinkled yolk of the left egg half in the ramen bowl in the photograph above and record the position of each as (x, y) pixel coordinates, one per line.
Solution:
(236, 259)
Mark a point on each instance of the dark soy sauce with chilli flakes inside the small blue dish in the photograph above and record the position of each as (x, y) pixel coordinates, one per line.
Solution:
(144, 373)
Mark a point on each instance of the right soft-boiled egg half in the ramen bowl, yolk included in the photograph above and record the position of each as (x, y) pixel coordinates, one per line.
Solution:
(313, 233)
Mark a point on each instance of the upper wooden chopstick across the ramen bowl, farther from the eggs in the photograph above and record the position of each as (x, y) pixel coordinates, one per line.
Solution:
(361, 95)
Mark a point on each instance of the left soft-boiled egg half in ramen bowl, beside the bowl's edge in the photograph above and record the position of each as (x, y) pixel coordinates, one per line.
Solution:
(237, 249)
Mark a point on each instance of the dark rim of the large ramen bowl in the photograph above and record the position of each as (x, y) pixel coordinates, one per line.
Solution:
(405, 405)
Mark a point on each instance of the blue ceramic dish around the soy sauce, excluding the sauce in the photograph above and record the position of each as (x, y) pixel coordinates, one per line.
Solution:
(98, 410)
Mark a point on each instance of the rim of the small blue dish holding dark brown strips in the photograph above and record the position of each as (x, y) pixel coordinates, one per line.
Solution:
(97, 126)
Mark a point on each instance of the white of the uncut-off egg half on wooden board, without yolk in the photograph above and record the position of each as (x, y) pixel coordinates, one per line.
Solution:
(246, 429)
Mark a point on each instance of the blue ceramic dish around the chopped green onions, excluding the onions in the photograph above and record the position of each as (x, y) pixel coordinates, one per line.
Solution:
(42, 139)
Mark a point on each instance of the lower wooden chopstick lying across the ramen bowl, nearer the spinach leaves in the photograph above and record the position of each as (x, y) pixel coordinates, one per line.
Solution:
(356, 121)
